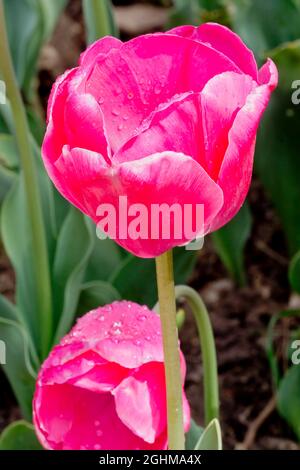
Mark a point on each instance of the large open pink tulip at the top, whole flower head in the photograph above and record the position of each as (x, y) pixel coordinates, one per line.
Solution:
(164, 118)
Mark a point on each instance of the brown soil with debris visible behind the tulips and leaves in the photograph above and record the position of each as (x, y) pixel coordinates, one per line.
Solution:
(240, 315)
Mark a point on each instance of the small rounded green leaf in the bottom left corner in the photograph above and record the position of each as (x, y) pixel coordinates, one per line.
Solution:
(19, 435)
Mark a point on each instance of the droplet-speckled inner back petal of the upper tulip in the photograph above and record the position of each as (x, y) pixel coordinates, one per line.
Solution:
(130, 82)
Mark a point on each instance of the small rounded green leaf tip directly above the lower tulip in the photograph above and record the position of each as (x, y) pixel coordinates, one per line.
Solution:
(96, 294)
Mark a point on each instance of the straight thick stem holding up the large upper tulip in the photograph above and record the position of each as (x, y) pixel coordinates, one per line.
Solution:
(166, 296)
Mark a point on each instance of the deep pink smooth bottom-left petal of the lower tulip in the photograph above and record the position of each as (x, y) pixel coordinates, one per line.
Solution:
(69, 417)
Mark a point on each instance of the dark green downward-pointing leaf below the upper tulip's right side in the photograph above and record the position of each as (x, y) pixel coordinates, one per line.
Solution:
(230, 243)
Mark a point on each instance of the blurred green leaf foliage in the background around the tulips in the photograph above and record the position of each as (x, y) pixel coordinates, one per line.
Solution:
(94, 273)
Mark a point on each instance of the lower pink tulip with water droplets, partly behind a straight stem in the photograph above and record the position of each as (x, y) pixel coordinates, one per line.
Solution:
(103, 386)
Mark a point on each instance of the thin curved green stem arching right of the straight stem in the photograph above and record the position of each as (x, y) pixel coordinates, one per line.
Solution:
(209, 356)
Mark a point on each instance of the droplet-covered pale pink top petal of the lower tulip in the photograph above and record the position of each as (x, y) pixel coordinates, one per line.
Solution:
(124, 333)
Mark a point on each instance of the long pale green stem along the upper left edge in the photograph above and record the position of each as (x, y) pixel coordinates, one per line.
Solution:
(33, 198)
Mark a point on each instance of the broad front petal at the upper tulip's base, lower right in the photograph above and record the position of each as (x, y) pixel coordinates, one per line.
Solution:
(167, 178)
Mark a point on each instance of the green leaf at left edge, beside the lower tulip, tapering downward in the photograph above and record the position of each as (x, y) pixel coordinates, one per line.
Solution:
(18, 367)
